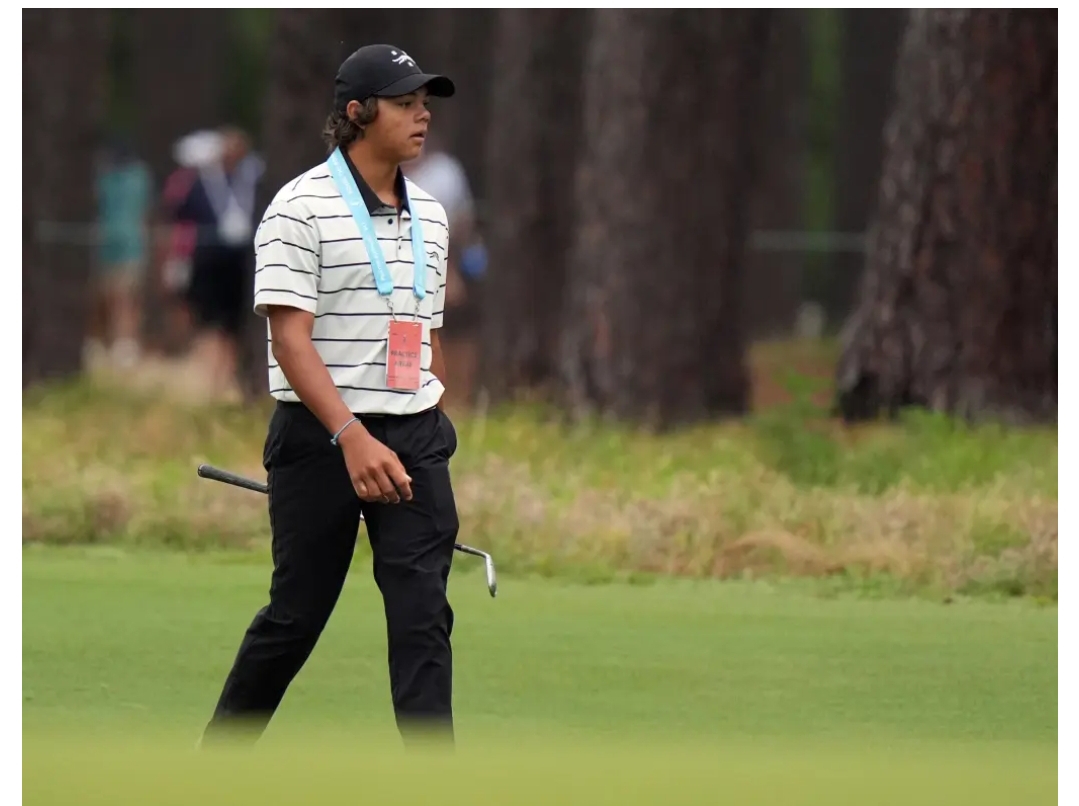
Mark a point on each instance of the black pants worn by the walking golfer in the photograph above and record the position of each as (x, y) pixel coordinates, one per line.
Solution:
(315, 516)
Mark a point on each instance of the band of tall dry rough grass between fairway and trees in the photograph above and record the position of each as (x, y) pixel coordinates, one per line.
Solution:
(925, 506)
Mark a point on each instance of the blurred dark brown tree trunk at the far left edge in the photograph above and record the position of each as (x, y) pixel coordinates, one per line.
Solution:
(64, 74)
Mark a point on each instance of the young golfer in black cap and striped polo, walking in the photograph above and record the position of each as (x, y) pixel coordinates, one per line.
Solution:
(351, 277)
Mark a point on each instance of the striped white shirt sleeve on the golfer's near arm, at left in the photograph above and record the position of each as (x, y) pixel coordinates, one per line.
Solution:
(286, 259)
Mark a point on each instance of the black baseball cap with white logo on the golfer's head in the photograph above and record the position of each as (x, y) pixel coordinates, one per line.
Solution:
(384, 72)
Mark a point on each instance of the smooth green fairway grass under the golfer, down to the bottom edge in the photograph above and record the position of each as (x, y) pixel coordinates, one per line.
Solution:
(678, 692)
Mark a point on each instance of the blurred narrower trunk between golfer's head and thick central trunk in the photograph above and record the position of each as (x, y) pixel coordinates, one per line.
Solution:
(532, 151)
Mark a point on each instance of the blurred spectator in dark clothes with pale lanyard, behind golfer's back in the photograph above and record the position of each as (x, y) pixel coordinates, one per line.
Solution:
(220, 203)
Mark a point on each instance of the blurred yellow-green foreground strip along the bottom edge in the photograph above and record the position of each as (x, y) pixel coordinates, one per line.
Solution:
(536, 773)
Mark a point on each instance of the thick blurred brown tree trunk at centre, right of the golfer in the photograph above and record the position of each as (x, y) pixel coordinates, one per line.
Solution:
(654, 331)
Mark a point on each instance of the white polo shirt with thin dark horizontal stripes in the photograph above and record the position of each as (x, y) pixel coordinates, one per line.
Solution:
(309, 255)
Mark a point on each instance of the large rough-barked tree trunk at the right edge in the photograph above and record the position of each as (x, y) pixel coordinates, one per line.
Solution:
(959, 308)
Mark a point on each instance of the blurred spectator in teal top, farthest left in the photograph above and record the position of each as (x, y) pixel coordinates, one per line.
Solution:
(124, 200)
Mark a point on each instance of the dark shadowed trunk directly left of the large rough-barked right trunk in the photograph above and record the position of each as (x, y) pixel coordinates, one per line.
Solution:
(870, 43)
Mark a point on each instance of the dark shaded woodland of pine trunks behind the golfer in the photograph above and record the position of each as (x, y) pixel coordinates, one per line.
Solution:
(659, 190)
